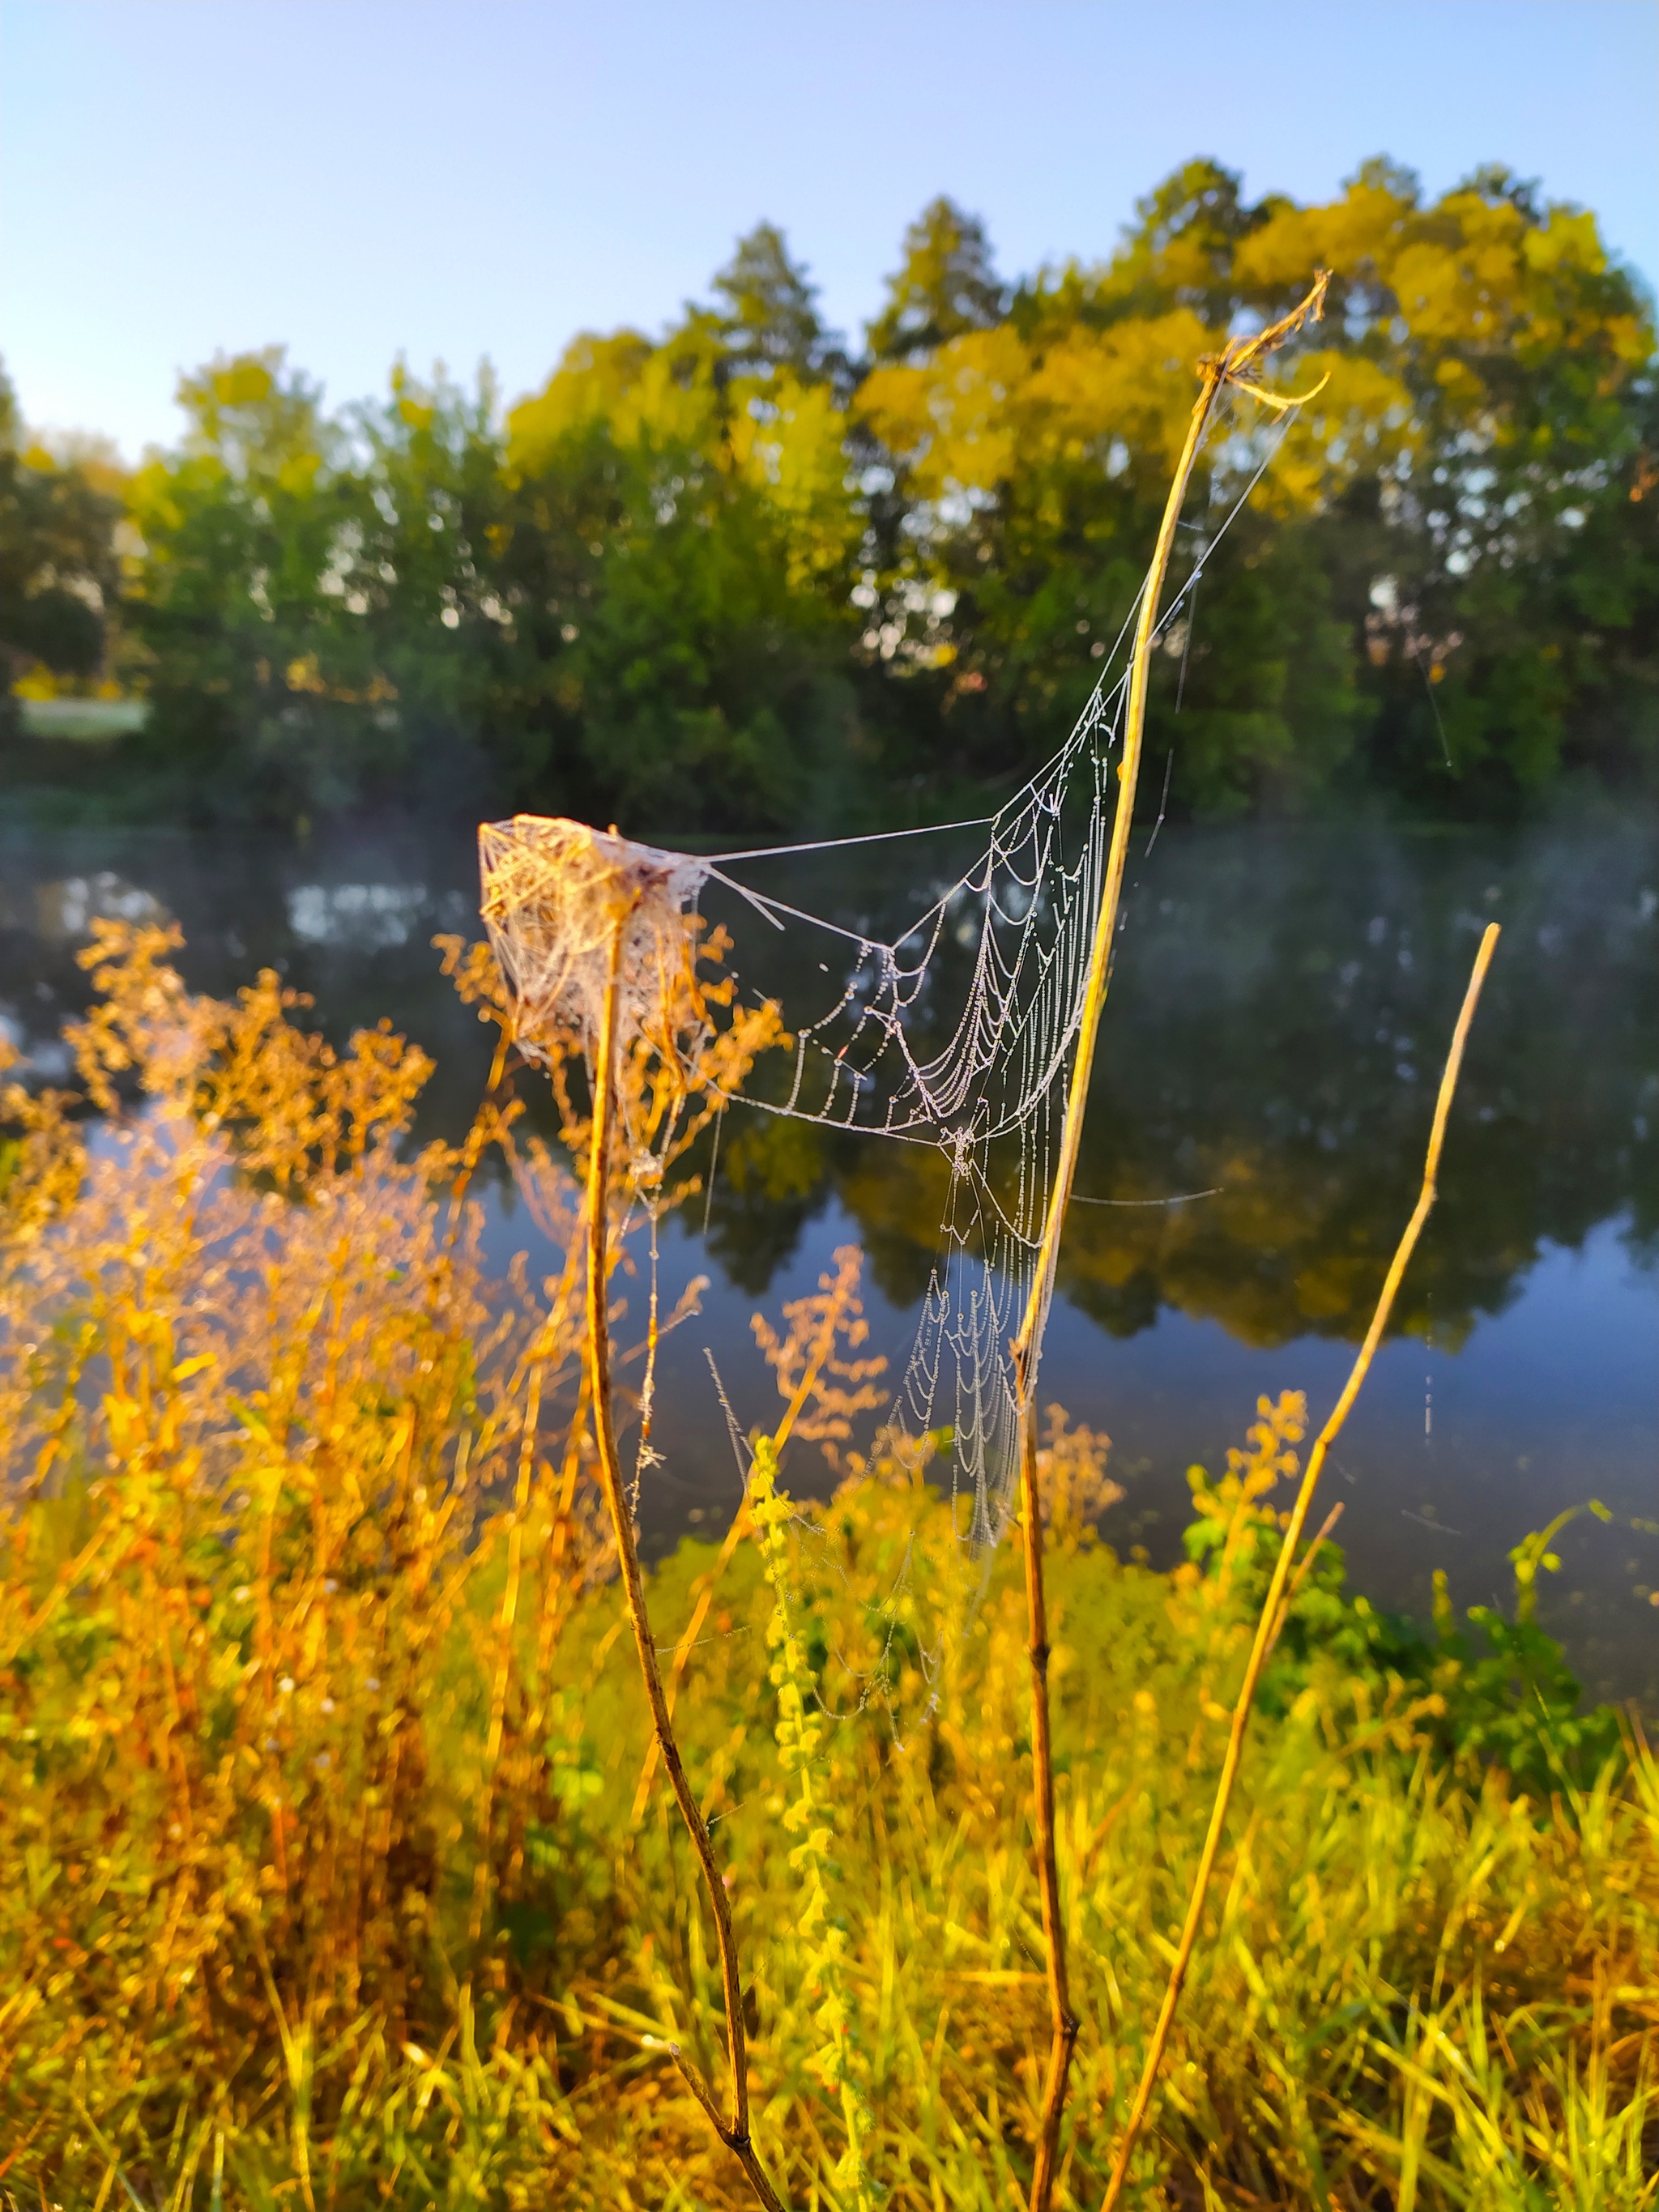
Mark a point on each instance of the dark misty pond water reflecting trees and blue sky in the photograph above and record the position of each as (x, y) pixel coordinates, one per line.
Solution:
(1275, 1034)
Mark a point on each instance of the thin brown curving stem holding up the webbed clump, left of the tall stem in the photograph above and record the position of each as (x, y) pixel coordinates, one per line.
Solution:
(735, 2131)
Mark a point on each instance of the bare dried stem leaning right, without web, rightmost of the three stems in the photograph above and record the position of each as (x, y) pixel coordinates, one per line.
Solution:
(1271, 1607)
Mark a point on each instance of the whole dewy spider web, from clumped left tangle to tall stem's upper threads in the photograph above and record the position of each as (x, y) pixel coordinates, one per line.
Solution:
(954, 1039)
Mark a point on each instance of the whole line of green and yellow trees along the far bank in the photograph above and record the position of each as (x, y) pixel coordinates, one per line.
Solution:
(740, 576)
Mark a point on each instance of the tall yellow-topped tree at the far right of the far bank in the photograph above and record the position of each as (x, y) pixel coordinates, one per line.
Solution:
(1488, 528)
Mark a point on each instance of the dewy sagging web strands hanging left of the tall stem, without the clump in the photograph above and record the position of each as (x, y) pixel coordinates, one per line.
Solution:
(959, 1039)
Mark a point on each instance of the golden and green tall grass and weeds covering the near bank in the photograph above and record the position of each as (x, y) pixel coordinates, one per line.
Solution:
(328, 1868)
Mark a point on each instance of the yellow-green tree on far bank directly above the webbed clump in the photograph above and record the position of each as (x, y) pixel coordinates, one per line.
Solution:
(689, 532)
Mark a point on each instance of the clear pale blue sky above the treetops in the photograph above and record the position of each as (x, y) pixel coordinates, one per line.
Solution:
(463, 178)
